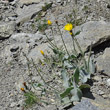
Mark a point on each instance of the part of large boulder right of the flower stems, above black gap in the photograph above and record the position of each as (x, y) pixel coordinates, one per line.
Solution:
(93, 32)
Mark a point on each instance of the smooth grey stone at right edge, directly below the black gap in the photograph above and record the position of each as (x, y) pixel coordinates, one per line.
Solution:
(103, 62)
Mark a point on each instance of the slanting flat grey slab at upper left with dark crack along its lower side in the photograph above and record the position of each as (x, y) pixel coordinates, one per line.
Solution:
(28, 12)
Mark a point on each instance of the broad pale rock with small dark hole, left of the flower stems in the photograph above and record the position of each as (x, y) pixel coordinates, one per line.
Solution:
(26, 43)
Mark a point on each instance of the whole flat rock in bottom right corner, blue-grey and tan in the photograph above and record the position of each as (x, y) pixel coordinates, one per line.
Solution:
(89, 104)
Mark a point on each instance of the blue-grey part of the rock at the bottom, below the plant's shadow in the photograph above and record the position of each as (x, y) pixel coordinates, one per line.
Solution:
(85, 105)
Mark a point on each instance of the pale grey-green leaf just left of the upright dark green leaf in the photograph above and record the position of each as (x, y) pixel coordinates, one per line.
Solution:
(65, 79)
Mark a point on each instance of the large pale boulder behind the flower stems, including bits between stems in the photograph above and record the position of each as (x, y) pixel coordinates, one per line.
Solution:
(93, 32)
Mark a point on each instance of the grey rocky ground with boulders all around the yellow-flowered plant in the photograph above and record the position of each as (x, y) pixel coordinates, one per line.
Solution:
(22, 27)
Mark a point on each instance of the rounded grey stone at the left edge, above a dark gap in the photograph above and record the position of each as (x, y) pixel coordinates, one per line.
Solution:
(7, 29)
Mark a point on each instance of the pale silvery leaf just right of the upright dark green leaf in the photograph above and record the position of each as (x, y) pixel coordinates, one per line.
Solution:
(84, 75)
